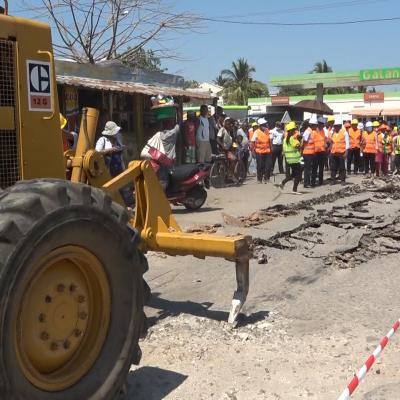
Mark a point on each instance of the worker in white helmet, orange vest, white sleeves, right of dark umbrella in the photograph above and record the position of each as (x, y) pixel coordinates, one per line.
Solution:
(340, 144)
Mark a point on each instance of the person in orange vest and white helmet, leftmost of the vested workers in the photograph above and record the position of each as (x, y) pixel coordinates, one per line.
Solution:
(261, 145)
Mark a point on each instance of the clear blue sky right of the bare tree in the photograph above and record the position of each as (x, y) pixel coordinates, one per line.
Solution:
(284, 50)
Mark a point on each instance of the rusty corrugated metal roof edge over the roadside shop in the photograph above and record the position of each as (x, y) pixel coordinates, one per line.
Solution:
(128, 87)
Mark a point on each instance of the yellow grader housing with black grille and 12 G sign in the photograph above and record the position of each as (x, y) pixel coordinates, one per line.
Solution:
(31, 141)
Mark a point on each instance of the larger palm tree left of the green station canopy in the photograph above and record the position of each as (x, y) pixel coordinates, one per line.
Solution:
(240, 85)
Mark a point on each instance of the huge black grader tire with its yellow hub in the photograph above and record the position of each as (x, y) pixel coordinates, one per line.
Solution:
(71, 291)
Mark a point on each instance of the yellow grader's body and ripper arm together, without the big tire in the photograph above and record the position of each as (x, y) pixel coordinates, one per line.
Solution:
(29, 120)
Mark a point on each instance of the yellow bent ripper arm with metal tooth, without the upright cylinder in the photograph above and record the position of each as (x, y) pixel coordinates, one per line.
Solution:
(160, 231)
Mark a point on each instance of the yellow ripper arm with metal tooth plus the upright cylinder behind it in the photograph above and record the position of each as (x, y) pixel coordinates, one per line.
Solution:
(153, 218)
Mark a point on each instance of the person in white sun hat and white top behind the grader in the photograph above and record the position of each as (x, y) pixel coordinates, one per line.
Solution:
(110, 146)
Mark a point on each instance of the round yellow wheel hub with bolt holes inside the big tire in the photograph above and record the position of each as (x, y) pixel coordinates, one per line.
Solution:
(63, 318)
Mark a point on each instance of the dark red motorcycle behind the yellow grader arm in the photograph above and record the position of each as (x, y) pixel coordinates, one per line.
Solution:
(184, 184)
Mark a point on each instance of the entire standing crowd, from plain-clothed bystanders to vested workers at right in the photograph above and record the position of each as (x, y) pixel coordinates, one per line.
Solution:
(302, 152)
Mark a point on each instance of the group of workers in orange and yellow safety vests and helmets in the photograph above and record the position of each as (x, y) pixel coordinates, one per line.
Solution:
(343, 147)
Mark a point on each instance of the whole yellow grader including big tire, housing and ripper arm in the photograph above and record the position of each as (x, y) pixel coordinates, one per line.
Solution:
(71, 258)
